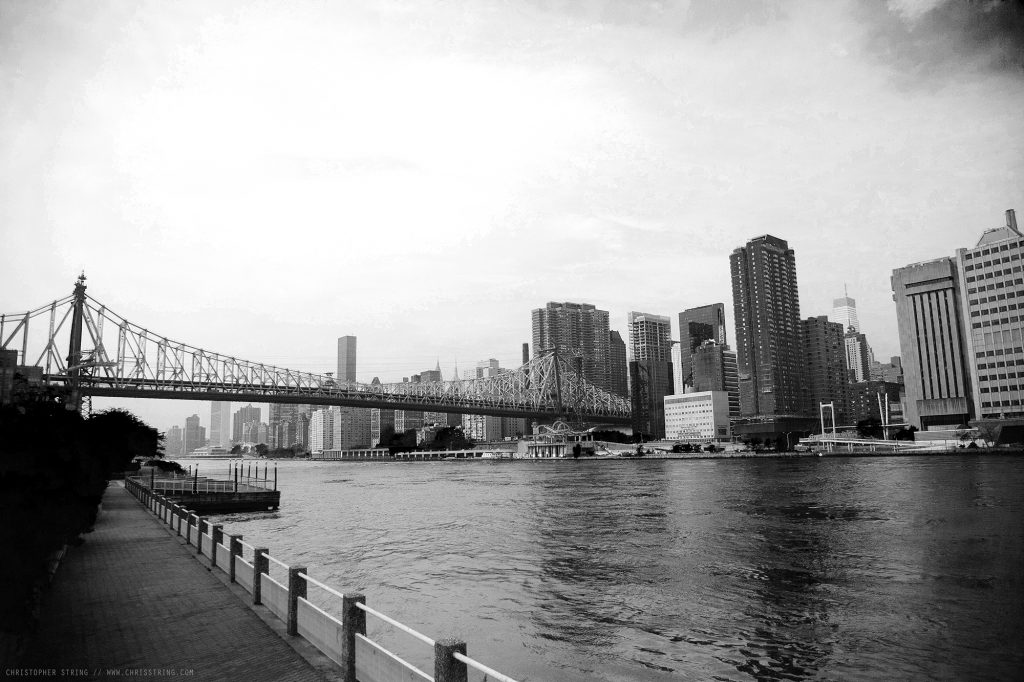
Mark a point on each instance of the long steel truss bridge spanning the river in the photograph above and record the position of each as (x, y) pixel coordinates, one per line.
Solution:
(108, 356)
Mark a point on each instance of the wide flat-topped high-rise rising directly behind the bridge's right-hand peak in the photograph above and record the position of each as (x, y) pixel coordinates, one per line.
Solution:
(576, 330)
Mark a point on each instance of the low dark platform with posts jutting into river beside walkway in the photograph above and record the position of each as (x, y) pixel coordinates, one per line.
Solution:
(205, 495)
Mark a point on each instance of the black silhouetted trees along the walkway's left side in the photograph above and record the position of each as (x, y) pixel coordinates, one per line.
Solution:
(55, 466)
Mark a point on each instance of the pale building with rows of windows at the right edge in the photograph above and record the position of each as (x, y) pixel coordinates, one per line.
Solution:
(992, 285)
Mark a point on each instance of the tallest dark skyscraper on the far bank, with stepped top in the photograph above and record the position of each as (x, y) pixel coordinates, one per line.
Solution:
(766, 306)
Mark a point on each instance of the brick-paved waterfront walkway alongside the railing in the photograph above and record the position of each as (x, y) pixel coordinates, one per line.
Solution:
(134, 602)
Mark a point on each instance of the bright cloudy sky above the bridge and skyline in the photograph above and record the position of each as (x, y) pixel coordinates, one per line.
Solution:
(260, 179)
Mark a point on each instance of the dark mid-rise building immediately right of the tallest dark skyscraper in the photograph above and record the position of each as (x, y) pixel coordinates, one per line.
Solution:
(826, 369)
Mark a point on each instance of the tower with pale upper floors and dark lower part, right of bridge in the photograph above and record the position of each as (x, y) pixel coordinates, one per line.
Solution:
(651, 370)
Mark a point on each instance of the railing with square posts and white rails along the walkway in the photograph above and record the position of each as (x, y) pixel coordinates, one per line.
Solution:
(344, 640)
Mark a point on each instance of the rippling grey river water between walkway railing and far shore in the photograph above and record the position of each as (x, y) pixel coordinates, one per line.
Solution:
(909, 568)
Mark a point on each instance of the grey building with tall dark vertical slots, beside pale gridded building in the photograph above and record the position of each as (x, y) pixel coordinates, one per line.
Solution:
(932, 344)
